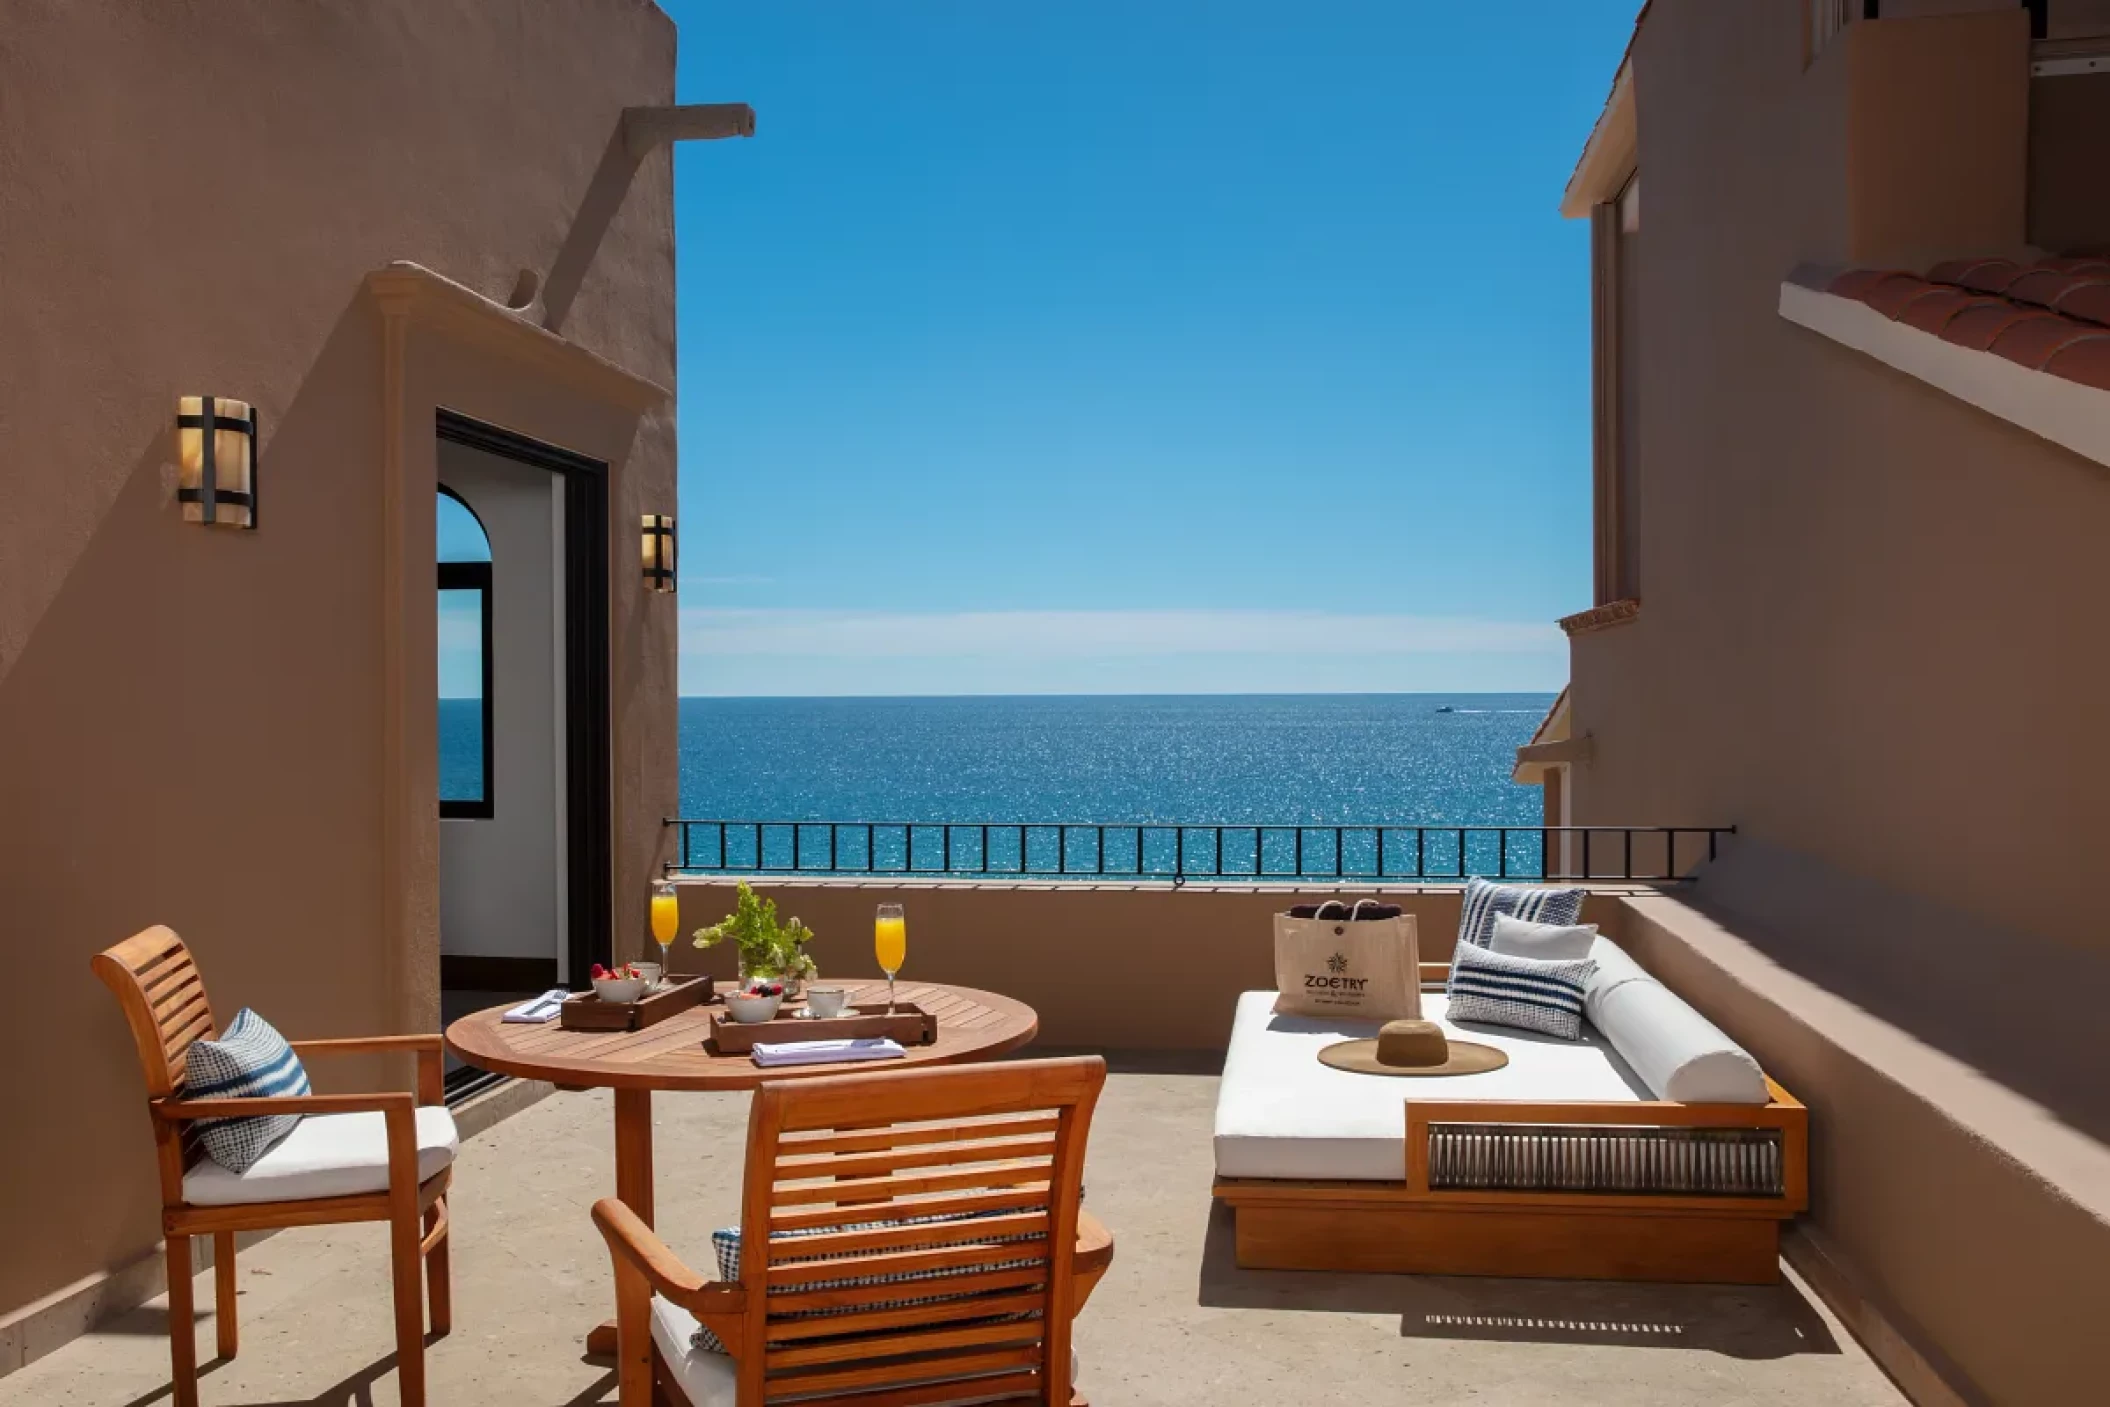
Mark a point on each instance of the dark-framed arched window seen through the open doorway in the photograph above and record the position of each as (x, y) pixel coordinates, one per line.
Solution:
(465, 663)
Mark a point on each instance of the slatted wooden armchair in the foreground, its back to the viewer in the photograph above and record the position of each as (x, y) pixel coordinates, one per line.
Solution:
(906, 1239)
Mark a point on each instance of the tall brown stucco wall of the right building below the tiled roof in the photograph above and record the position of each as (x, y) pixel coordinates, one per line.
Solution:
(1858, 628)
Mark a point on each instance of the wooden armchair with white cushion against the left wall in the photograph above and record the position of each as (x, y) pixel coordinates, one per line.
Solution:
(339, 1165)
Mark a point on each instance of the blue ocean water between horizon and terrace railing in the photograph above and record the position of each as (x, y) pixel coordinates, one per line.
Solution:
(1115, 760)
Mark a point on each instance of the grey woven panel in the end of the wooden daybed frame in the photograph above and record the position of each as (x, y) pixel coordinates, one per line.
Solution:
(1575, 1159)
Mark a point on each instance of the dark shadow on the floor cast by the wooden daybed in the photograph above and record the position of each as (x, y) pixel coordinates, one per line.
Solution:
(1740, 1322)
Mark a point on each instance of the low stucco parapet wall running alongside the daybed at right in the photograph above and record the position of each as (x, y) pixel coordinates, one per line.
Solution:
(1955, 1208)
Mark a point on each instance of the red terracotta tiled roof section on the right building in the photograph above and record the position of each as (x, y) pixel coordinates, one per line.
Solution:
(2052, 315)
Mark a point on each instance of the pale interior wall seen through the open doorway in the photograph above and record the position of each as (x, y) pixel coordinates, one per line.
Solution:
(501, 876)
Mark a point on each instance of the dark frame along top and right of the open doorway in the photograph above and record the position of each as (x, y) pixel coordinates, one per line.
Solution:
(590, 851)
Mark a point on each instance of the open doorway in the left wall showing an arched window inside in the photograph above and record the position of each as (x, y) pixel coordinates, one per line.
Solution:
(524, 760)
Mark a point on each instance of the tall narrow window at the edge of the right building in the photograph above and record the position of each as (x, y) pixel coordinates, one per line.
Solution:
(1617, 393)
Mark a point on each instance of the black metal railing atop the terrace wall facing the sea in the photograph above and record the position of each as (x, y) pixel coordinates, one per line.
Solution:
(1178, 853)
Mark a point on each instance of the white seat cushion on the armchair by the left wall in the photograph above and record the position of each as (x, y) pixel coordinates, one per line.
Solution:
(328, 1155)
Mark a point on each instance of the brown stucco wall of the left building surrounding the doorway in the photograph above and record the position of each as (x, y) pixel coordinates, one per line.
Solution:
(193, 725)
